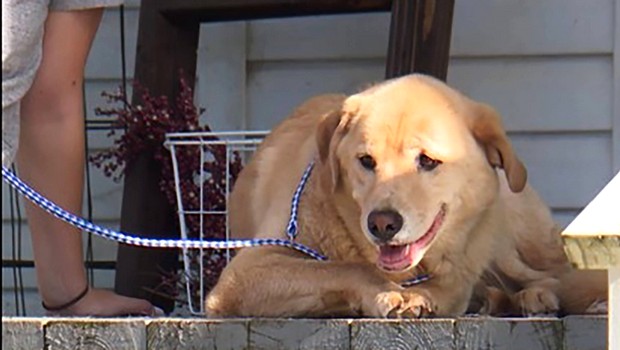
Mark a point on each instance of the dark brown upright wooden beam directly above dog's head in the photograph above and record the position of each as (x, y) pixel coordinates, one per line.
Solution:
(420, 33)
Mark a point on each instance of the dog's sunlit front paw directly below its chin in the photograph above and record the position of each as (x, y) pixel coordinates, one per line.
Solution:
(403, 305)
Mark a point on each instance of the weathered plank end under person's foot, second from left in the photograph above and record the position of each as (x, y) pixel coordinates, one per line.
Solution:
(104, 334)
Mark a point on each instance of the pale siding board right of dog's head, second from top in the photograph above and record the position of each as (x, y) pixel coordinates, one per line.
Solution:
(541, 93)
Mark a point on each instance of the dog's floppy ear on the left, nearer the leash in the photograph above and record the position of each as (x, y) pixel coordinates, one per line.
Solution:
(330, 131)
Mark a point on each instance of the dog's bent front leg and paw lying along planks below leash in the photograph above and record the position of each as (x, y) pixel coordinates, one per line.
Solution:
(275, 282)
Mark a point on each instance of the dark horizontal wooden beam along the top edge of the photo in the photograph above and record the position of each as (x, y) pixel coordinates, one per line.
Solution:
(235, 10)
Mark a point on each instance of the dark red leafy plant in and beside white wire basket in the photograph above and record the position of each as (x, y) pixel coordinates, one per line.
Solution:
(142, 129)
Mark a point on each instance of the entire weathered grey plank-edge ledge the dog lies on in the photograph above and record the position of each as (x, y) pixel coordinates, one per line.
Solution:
(574, 332)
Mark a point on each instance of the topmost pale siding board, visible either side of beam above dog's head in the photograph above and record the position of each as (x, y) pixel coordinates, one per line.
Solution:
(480, 28)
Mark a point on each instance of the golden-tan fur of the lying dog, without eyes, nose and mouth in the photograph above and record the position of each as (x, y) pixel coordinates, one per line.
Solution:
(495, 243)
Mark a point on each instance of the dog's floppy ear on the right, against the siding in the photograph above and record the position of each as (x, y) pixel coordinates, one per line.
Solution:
(486, 126)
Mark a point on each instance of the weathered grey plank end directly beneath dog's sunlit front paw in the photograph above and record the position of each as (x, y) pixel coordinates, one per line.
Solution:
(403, 334)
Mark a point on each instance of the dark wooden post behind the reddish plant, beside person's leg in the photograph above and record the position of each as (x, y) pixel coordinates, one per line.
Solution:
(164, 48)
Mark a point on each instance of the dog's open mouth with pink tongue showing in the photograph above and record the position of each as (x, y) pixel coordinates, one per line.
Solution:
(403, 256)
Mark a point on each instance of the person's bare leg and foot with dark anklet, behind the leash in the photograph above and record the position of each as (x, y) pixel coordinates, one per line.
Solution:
(51, 158)
